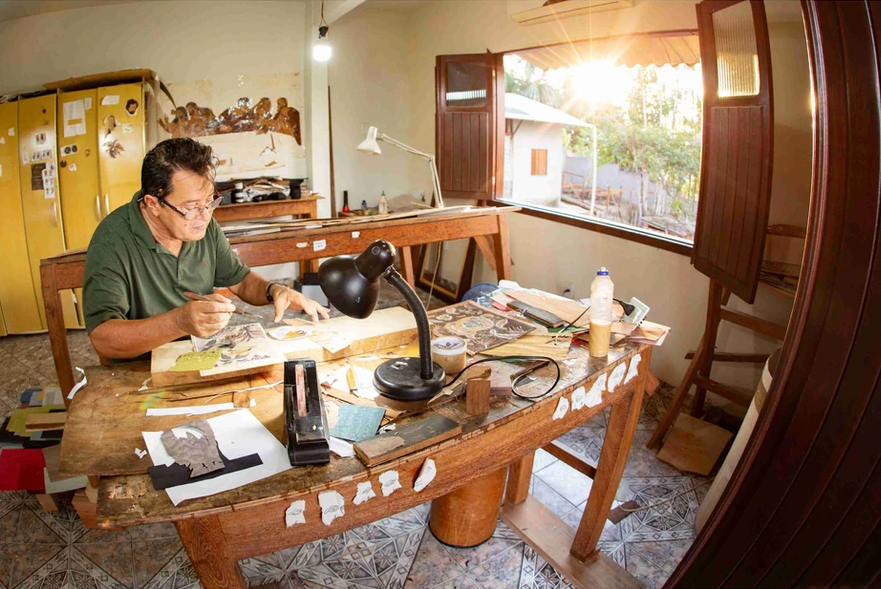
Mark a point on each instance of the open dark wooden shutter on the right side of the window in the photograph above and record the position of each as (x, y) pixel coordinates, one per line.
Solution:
(735, 190)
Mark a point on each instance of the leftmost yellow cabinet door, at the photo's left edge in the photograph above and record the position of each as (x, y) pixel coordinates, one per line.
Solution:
(17, 295)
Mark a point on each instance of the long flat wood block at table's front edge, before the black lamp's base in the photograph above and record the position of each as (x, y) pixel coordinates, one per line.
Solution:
(407, 439)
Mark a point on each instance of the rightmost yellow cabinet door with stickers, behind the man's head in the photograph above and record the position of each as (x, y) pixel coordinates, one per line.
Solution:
(121, 142)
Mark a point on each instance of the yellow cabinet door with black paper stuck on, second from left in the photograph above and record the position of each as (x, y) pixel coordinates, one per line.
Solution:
(39, 193)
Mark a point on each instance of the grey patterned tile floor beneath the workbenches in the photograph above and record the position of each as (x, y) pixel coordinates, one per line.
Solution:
(43, 550)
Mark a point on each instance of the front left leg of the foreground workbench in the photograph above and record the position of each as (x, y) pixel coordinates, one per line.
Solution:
(209, 552)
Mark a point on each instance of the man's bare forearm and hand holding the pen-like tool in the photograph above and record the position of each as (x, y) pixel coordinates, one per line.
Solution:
(129, 338)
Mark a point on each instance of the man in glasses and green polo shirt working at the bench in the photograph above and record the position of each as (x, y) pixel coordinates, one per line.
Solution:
(147, 255)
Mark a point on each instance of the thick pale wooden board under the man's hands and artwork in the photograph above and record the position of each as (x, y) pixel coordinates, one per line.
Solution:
(385, 328)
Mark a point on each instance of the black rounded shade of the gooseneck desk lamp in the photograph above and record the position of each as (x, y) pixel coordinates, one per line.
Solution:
(351, 283)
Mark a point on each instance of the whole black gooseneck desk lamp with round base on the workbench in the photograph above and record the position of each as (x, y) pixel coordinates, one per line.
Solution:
(351, 284)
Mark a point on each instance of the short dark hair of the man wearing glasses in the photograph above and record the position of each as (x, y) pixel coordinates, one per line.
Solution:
(169, 156)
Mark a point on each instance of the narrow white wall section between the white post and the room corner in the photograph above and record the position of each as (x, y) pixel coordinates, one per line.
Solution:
(369, 86)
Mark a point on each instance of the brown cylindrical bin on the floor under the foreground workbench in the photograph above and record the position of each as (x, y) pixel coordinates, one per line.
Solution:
(467, 516)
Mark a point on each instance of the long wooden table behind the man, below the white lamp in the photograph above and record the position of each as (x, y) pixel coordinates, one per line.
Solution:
(298, 245)
